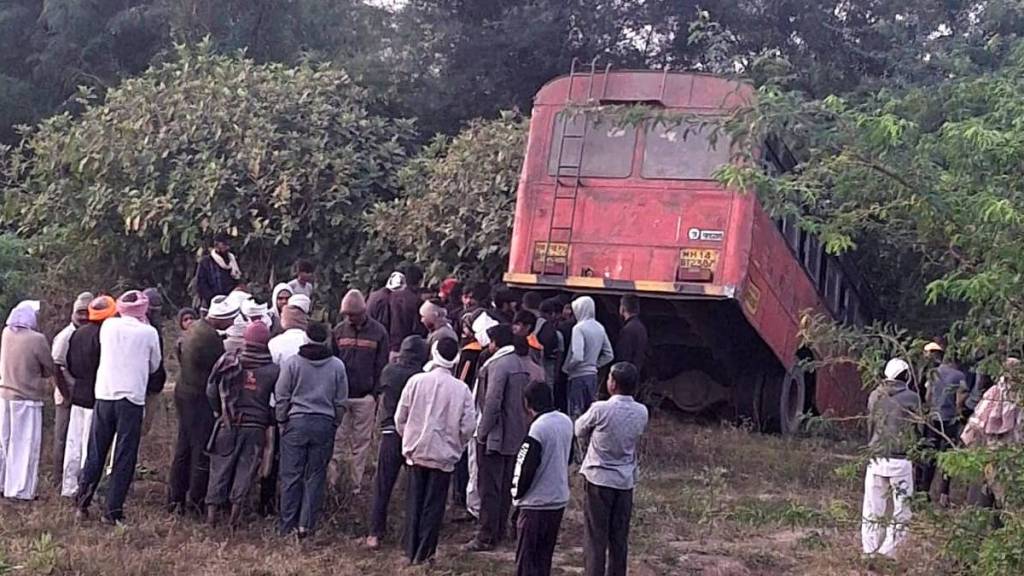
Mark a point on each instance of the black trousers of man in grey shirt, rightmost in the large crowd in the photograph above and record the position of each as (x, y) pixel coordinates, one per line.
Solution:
(607, 530)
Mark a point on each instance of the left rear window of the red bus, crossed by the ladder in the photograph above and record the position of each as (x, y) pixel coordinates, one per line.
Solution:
(608, 149)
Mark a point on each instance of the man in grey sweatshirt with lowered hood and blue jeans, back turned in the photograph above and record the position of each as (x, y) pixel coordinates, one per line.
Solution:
(312, 393)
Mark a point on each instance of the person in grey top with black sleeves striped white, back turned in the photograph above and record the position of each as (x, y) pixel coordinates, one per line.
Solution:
(540, 484)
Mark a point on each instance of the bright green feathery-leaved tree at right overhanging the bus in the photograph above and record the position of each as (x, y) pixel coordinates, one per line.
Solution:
(928, 178)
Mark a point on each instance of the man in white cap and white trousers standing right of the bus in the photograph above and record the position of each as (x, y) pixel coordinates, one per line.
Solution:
(894, 412)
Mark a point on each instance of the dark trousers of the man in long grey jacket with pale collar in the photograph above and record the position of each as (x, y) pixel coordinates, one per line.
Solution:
(494, 480)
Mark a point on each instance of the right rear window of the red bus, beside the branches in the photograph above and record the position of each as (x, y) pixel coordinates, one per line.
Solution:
(682, 153)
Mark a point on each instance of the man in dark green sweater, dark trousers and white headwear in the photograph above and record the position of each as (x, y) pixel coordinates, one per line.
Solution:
(201, 348)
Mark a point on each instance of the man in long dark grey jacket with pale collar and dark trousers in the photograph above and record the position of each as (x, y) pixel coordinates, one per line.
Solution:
(503, 427)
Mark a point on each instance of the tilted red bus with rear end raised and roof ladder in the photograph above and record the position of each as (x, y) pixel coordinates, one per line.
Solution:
(606, 210)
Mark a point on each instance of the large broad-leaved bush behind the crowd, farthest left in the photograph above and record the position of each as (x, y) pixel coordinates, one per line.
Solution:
(287, 160)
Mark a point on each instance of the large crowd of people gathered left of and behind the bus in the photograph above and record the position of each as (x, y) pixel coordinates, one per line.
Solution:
(482, 394)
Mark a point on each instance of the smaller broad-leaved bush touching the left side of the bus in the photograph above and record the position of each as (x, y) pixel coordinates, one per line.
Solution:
(457, 202)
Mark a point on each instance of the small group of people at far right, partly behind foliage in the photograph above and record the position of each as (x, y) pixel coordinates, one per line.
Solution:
(910, 425)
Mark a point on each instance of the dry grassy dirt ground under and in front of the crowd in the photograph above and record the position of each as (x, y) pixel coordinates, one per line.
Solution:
(712, 501)
